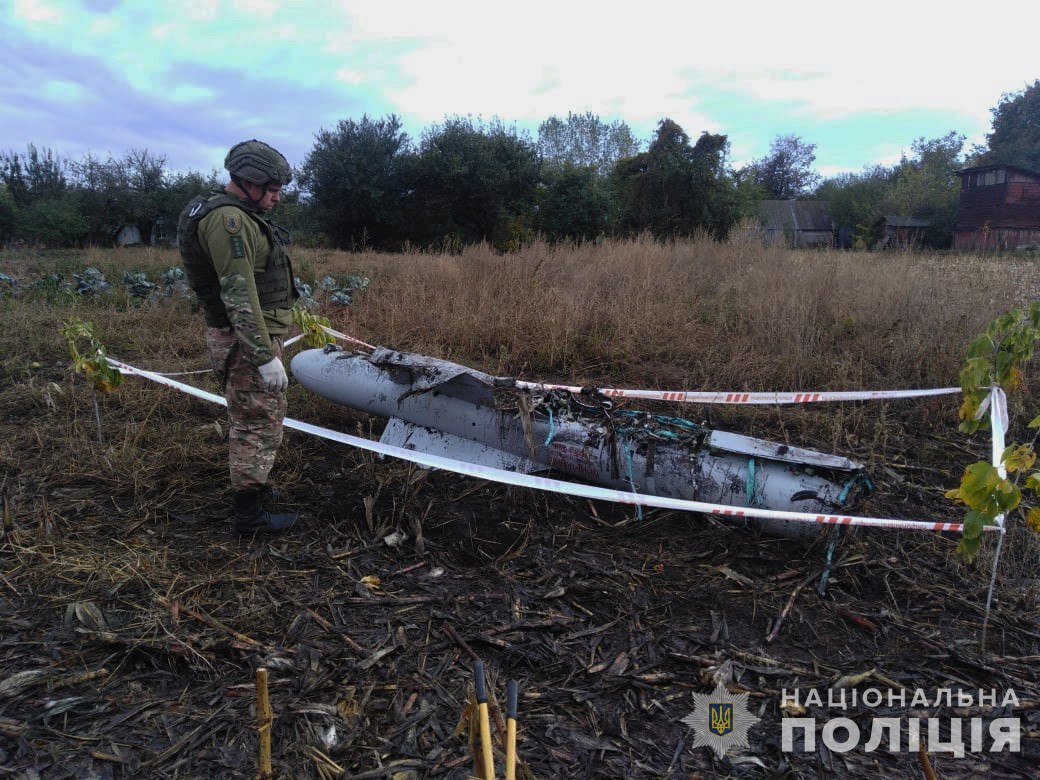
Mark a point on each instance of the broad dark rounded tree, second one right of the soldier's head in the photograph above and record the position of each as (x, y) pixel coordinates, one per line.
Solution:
(474, 181)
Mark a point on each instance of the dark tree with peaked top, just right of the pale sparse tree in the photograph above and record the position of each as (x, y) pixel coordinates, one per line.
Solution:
(675, 189)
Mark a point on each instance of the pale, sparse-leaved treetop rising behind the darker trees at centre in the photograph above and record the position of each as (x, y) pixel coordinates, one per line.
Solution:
(583, 140)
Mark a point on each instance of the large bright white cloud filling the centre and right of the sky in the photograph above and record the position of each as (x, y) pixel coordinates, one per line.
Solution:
(636, 60)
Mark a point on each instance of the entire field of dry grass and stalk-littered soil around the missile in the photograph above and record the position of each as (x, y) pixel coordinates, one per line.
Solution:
(133, 620)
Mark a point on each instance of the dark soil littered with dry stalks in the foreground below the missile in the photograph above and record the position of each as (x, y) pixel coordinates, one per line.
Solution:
(134, 622)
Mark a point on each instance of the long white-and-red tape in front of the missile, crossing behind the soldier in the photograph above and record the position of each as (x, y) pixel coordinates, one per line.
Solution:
(557, 486)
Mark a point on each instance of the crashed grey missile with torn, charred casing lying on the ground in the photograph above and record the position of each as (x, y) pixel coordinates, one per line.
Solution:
(450, 410)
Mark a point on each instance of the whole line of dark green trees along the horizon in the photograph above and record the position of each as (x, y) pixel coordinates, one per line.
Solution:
(367, 184)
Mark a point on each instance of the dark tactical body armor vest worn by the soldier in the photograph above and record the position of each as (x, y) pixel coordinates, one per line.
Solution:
(275, 284)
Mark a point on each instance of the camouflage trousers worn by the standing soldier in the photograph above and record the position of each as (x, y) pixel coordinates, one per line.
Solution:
(255, 415)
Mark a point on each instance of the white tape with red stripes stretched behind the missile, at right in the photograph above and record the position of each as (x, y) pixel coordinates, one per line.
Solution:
(692, 397)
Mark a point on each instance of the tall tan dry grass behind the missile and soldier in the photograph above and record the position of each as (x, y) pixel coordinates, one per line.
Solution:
(684, 316)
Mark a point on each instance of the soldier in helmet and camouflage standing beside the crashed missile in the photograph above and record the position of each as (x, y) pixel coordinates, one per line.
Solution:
(238, 265)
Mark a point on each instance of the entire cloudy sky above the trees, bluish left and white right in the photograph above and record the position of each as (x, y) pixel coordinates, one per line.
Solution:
(189, 80)
